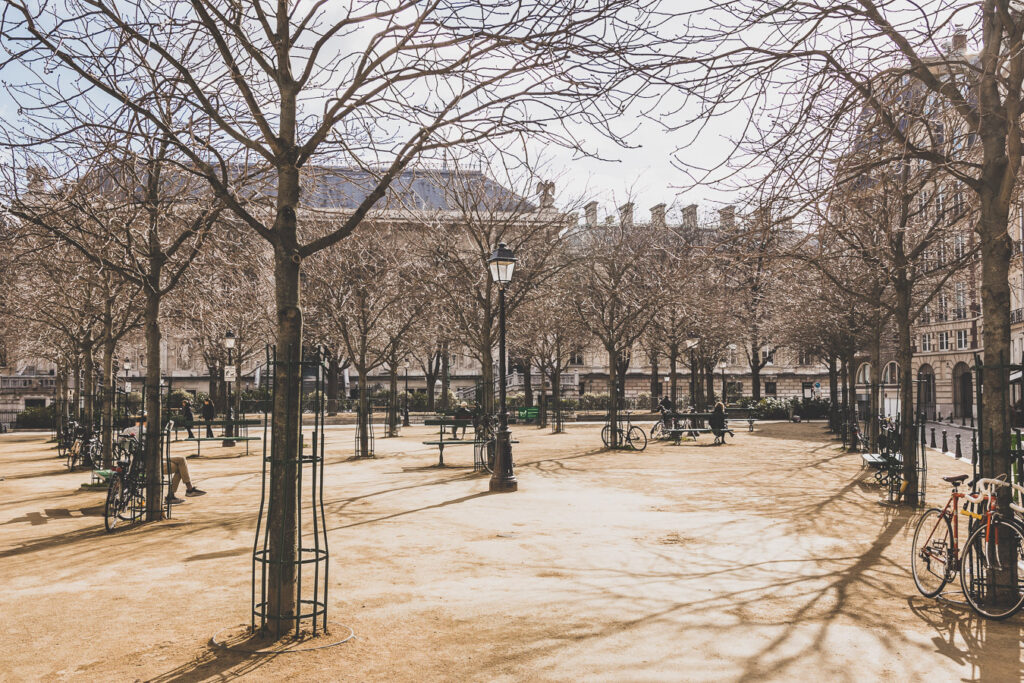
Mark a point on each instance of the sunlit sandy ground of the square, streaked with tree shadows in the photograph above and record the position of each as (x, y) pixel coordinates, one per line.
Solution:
(766, 560)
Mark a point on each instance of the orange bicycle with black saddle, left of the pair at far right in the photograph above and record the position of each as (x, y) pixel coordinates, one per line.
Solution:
(935, 551)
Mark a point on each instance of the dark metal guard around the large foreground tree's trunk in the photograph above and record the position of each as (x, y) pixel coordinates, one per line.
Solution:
(313, 558)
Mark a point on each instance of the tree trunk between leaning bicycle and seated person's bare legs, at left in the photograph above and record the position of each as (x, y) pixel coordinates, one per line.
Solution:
(154, 472)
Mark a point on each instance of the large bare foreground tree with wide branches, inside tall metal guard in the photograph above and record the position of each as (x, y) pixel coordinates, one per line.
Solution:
(367, 82)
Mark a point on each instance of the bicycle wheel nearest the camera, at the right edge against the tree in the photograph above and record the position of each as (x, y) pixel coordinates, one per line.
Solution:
(993, 570)
